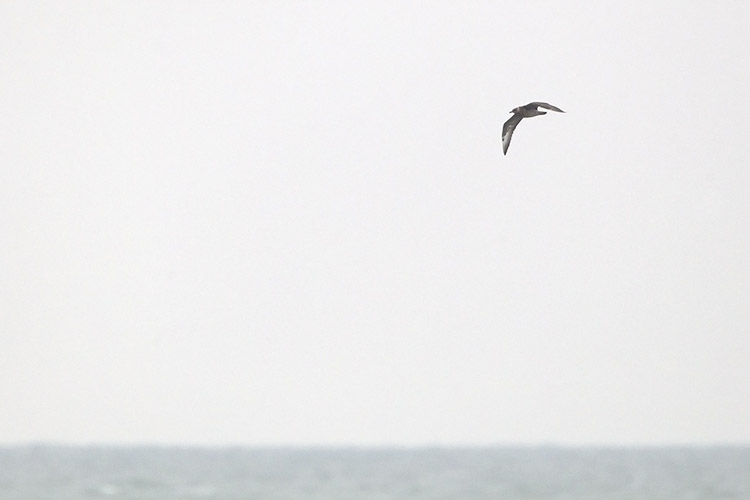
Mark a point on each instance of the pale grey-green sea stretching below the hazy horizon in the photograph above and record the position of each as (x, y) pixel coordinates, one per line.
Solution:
(43, 472)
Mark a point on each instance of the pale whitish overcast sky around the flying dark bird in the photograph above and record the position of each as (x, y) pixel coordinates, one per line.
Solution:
(292, 223)
